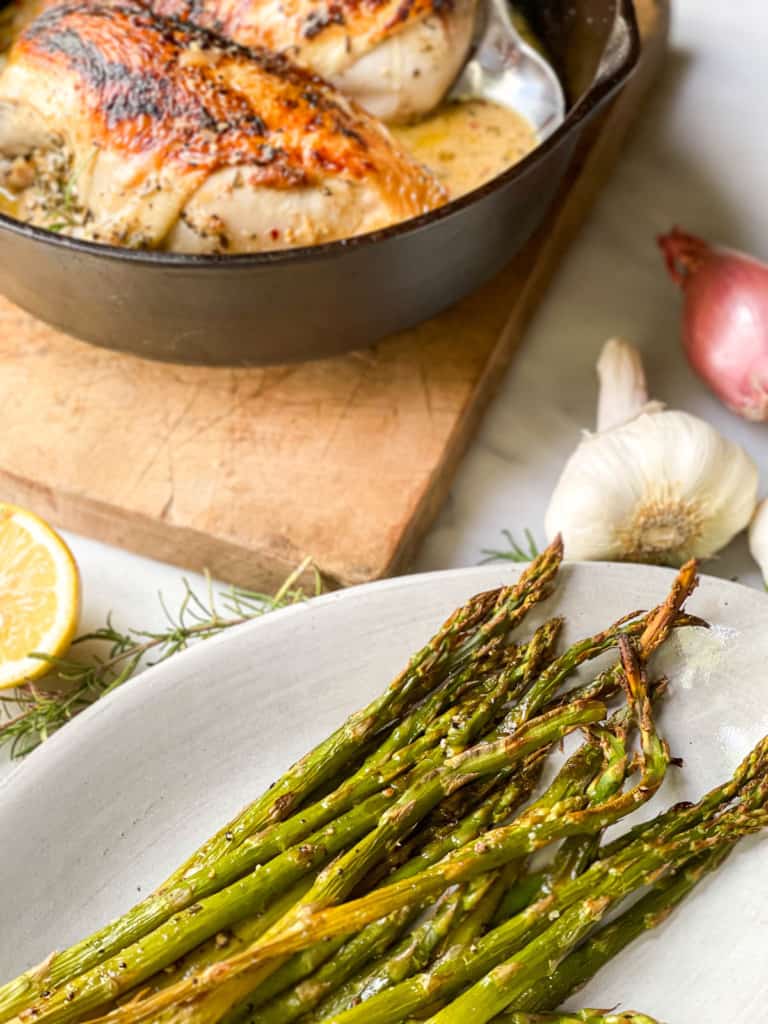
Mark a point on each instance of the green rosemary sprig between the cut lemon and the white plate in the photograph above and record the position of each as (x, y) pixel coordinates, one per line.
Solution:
(41, 708)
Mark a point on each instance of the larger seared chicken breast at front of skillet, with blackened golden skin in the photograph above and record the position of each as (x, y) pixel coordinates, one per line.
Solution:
(126, 127)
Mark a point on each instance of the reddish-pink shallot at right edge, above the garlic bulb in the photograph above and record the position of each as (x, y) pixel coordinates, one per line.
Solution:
(726, 320)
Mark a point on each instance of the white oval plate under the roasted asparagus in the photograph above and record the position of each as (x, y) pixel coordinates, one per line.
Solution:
(107, 808)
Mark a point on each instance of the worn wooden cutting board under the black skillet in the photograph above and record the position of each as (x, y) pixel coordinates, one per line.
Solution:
(245, 473)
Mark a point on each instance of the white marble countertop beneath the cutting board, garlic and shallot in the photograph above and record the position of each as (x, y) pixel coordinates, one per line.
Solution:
(699, 159)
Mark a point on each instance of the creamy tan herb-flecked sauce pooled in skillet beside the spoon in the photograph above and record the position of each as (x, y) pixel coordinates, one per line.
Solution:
(466, 145)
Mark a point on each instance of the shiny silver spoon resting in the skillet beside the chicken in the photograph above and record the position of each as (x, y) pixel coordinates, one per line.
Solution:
(506, 70)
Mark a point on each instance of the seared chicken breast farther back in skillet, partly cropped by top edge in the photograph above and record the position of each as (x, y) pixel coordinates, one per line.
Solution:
(397, 58)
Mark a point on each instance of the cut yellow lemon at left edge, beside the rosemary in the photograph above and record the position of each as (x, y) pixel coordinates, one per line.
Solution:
(39, 595)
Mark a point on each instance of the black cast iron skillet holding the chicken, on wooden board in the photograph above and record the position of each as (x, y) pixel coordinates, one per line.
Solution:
(306, 304)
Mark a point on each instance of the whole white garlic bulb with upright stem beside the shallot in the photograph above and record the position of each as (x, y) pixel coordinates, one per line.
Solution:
(652, 485)
